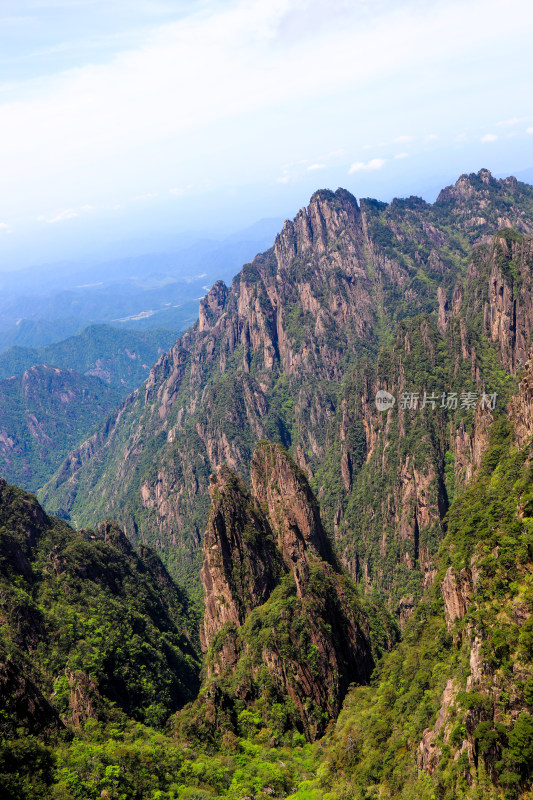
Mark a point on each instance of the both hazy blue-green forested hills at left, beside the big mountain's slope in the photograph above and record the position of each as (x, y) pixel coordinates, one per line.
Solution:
(51, 397)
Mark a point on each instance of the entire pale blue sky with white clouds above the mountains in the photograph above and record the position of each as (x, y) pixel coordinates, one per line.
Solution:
(128, 118)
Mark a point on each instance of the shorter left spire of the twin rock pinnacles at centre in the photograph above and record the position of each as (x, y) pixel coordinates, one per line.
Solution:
(241, 563)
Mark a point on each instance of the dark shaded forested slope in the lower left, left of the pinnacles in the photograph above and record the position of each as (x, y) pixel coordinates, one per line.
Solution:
(90, 629)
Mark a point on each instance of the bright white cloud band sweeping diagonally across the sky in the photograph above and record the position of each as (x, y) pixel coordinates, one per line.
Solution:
(198, 81)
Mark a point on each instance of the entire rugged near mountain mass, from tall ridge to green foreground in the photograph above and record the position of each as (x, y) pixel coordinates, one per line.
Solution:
(337, 458)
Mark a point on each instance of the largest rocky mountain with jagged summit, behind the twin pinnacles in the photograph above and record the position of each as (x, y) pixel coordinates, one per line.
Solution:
(353, 297)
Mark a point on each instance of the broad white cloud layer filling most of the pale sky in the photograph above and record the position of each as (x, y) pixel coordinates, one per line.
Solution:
(226, 94)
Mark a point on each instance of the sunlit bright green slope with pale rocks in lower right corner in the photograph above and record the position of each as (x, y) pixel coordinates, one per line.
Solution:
(452, 713)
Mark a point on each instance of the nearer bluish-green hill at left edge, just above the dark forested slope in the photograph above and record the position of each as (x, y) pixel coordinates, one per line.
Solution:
(44, 413)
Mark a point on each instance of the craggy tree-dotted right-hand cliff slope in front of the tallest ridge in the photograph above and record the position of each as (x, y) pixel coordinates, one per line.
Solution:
(400, 469)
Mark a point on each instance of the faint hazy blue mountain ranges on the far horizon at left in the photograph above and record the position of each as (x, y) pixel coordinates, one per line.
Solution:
(41, 305)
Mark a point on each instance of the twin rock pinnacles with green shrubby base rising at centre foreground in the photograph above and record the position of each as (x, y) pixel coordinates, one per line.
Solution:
(274, 602)
